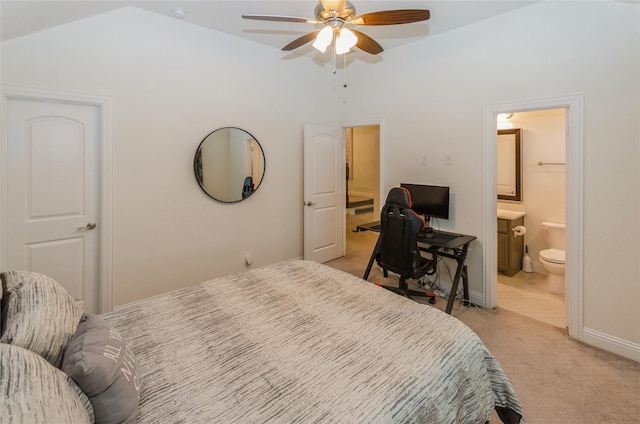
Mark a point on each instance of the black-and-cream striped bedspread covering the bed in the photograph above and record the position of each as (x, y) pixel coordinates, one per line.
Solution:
(300, 342)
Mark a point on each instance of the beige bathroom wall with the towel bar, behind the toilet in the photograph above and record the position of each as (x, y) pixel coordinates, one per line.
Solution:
(543, 186)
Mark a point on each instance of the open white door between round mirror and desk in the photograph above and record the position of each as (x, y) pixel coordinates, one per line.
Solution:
(323, 193)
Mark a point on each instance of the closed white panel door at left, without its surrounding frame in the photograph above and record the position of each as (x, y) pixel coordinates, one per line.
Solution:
(52, 193)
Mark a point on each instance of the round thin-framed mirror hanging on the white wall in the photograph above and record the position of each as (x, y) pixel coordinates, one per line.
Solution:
(229, 164)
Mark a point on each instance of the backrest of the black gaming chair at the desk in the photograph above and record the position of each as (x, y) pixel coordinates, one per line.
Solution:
(400, 225)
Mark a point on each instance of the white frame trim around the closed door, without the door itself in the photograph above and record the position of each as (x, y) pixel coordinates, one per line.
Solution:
(105, 195)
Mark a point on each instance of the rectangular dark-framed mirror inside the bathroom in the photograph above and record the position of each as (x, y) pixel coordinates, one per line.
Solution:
(509, 165)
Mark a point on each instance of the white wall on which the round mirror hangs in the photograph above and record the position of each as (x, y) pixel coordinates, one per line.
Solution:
(172, 84)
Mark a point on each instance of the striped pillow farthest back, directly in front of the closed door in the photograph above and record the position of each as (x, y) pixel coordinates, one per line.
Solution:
(38, 314)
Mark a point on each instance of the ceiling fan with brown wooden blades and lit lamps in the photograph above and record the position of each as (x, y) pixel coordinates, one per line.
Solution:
(336, 16)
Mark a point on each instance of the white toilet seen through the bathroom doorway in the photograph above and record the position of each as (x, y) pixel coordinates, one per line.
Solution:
(552, 259)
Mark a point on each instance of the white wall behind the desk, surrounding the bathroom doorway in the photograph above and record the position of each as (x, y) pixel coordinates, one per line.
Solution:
(432, 94)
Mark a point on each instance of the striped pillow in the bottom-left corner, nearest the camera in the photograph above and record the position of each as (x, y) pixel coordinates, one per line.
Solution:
(34, 391)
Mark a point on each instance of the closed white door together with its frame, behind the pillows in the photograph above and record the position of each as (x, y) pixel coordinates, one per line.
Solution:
(81, 126)
